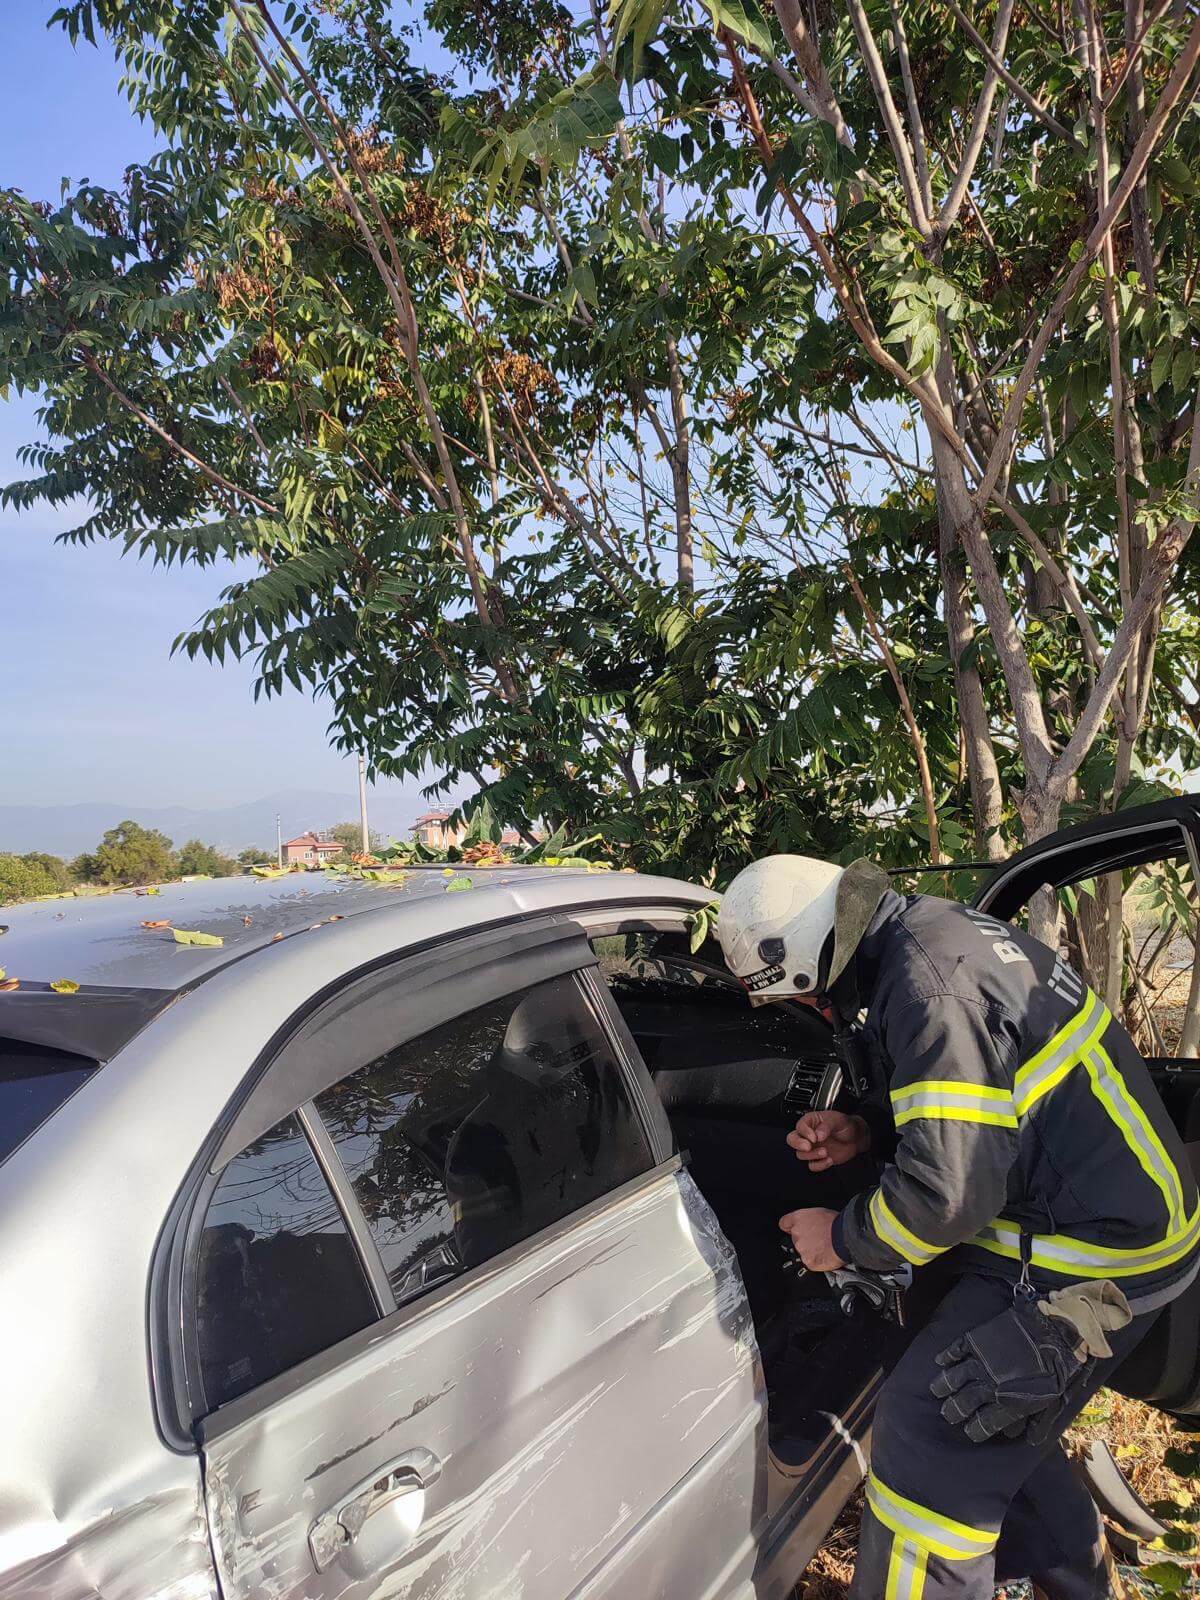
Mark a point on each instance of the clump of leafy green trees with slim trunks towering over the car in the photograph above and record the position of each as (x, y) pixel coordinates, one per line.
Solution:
(734, 431)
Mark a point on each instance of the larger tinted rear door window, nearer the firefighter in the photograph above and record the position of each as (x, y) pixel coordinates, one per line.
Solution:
(486, 1130)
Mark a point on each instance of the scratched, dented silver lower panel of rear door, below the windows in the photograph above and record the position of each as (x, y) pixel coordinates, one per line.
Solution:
(558, 1401)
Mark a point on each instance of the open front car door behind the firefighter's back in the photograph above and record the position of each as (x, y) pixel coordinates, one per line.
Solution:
(1129, 897)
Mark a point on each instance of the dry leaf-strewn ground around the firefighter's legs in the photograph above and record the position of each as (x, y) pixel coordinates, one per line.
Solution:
(1137, 1436)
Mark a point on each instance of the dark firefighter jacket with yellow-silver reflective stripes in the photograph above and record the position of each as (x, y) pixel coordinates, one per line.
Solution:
(1020, 1106)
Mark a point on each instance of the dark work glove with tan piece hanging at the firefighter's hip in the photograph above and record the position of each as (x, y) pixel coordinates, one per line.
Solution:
(1018, 1374)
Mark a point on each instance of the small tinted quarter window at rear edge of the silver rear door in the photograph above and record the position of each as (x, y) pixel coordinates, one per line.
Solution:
(279, 1278)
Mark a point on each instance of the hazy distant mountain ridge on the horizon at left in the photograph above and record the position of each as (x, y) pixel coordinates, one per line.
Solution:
(68, 830)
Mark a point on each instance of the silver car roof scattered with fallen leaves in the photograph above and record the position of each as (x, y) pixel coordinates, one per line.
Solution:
(102, 942)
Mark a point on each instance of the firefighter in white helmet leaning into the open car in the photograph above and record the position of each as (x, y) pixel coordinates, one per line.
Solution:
(1014, 1122)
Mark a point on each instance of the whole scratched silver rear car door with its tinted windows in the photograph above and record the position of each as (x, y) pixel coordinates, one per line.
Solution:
(455, 1321)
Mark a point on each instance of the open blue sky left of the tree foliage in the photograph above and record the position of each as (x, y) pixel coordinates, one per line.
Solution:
(95, 705)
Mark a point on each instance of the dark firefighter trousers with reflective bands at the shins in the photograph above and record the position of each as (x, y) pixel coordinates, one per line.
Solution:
(953, 1519)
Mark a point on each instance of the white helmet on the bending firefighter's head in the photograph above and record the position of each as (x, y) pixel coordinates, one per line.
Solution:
(780, 914)
